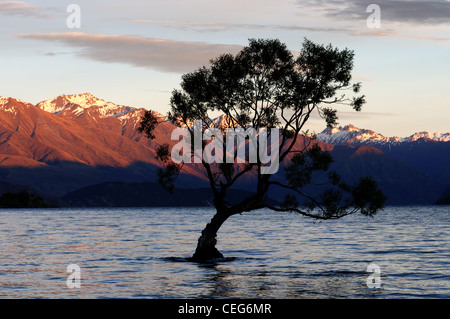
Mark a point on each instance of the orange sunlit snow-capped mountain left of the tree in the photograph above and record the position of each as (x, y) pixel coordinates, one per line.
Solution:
(73, 141)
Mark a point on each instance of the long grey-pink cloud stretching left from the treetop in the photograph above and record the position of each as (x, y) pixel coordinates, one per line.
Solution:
(158, 54)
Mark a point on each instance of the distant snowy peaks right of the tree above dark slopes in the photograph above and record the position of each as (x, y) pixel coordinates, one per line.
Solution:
(351, 135)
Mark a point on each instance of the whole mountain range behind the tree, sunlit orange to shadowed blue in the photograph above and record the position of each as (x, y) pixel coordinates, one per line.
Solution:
(73, 148)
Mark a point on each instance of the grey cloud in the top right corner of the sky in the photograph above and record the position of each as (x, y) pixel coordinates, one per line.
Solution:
(410, 11)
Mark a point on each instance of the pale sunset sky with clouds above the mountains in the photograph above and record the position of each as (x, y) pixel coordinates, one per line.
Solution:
(135, 52)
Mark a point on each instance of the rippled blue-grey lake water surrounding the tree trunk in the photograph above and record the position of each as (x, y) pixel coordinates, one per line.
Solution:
(141, 253)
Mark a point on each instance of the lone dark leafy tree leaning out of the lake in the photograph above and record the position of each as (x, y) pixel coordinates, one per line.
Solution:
(264, 87)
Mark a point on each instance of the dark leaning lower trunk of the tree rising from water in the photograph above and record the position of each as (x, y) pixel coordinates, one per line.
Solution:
(206, 246)
